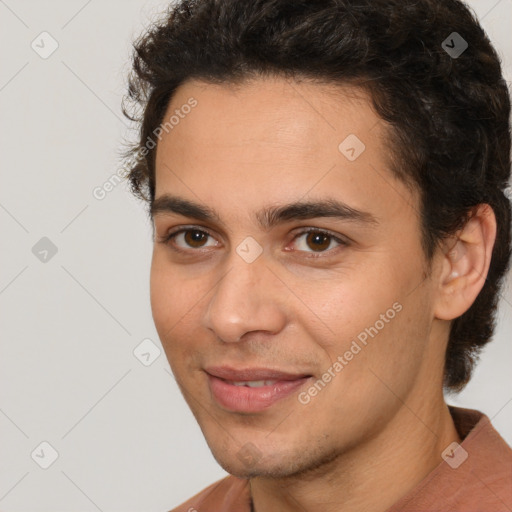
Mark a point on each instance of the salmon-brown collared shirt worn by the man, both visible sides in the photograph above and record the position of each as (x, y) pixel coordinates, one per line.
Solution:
(475, 479)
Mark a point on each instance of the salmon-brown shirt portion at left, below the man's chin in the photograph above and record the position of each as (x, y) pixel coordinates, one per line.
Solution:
(230, 494)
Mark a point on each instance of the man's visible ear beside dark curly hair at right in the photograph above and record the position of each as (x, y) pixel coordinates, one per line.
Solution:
(465, 262)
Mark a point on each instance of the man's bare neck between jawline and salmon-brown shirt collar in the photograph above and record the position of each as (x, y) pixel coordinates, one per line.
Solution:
(371, 477)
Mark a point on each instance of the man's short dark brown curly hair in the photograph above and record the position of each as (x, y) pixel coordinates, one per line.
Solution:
(449, 114)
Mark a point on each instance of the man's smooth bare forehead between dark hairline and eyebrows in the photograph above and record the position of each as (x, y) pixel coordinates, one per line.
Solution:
(272, 139)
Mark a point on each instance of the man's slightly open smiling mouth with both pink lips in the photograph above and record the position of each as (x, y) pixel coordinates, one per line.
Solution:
(253, 389)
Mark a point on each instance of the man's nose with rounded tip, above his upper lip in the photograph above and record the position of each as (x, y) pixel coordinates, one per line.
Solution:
(247, 298)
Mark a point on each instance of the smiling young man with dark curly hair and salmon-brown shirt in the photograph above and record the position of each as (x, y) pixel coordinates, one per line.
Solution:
(326, 180)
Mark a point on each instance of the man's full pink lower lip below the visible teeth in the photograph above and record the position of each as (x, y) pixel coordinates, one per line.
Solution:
(246, 399)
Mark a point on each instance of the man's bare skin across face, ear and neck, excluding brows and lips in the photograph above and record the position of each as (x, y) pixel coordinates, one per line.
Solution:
(380, 425)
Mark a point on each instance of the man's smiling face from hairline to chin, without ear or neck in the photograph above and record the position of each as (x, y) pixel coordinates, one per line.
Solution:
(244, 291)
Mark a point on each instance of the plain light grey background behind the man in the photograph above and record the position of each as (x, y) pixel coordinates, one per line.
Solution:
(125, 439)
